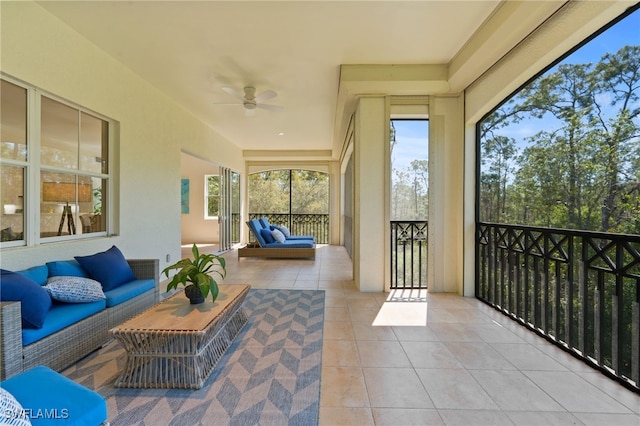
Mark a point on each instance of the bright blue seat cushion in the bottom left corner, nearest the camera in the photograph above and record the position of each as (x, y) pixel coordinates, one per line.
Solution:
(49, 398)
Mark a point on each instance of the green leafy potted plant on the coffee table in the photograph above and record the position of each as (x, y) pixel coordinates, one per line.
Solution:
(194, 275)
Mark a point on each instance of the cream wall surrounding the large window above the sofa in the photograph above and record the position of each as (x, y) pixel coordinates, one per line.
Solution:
(40, 50)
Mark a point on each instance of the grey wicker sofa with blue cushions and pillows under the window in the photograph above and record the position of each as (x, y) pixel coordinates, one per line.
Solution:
(53, 314)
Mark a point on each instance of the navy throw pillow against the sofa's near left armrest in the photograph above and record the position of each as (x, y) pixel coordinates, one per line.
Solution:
(34, 299)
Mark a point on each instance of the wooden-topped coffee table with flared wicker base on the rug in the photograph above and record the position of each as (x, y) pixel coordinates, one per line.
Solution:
(175, 344)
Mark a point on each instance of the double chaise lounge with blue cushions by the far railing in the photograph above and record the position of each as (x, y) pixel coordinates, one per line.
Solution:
(291, 247)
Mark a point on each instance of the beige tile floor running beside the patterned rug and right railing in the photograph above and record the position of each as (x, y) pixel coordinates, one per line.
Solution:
(435, 359)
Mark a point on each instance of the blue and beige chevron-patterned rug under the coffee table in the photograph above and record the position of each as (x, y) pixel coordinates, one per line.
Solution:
(270, 375)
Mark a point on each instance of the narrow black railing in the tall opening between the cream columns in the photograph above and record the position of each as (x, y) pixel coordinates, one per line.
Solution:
(409, 254)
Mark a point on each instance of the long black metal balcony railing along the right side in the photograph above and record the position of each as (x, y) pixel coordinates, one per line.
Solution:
(581, 290)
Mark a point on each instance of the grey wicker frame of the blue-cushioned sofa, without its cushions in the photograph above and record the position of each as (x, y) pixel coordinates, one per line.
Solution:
(62, 348)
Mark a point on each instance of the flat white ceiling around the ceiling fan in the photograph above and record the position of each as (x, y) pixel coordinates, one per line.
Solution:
(190, 50)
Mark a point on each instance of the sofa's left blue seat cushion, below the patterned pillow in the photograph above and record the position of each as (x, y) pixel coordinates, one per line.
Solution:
(61, 315)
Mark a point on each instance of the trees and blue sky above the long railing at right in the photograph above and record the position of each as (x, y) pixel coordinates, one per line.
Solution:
(581, 169)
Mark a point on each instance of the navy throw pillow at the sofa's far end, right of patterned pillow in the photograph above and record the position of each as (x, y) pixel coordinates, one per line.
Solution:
(110, 268)
